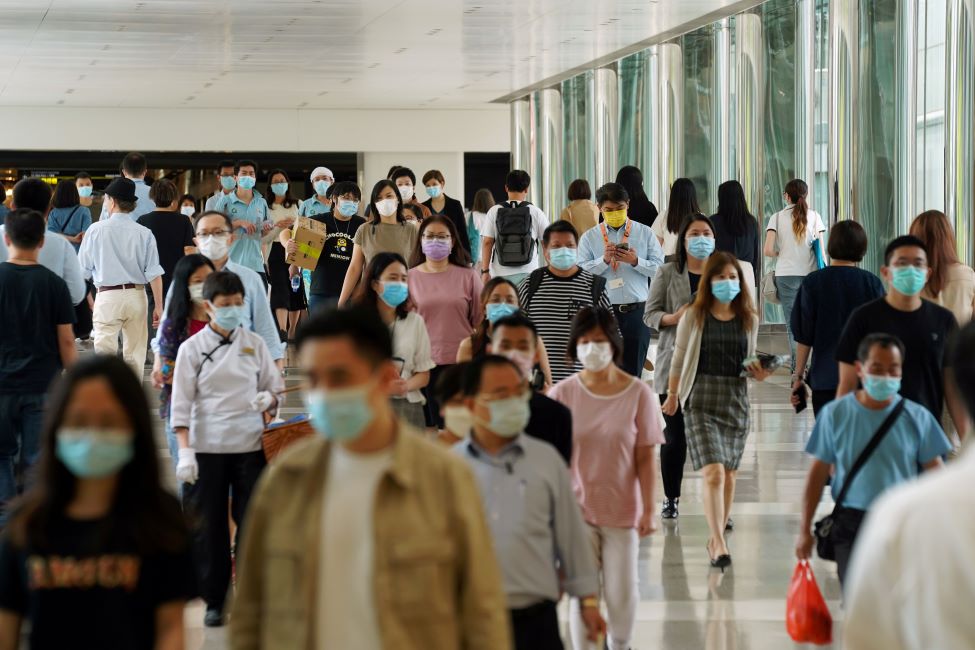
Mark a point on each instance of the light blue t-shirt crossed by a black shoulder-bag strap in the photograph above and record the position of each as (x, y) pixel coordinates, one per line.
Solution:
(844, 428)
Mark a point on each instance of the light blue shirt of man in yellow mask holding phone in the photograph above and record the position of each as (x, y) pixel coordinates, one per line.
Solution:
(650, 257)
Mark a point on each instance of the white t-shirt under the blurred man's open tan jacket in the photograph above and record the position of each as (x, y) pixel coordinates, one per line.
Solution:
(347, 609)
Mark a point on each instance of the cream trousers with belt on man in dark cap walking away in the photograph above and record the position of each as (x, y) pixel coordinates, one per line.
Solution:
(125, 311)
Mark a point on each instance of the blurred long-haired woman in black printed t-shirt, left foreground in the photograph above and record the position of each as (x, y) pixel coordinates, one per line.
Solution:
(97, 553)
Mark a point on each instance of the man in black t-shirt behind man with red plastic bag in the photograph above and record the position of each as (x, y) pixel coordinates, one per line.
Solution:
(923, 327)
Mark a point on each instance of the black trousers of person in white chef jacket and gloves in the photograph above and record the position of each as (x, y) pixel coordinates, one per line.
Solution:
(205, 504)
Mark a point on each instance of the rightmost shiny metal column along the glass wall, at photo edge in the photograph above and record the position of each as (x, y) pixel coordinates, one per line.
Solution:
(960, 125)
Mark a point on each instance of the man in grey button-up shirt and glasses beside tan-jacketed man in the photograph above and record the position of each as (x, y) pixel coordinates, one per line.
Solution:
(538, 531)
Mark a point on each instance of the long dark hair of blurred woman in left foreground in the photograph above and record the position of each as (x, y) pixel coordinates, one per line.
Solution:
(143, 512)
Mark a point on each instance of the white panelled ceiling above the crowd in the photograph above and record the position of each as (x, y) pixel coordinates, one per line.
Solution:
(310, 53)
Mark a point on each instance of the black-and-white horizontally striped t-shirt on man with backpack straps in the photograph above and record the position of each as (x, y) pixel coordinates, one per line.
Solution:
(552, 309)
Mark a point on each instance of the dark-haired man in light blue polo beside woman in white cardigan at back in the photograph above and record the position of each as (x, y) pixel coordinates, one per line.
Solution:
(249, 214)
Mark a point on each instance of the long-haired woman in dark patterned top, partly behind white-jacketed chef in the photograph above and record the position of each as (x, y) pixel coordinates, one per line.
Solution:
(185, 316)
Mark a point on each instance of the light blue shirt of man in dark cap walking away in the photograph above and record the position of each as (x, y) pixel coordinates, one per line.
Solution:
(119, 251)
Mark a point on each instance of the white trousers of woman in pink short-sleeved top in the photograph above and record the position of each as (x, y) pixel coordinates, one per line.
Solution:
(617, 552)
